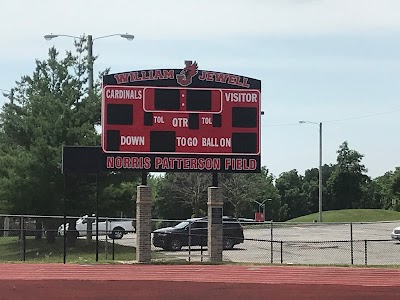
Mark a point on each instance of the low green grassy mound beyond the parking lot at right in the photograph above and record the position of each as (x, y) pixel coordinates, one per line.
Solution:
(352, 215)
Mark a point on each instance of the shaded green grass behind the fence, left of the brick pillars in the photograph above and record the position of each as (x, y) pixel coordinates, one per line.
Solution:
(42, 251)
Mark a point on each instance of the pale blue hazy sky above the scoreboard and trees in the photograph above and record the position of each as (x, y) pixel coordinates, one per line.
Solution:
(330, 61)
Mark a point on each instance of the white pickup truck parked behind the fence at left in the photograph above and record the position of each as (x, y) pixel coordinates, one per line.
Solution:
(114, 228)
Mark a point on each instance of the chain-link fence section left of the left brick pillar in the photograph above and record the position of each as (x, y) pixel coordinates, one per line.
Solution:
(45, 238)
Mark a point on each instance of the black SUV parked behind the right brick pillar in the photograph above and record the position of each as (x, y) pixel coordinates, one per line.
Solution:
(173, 238)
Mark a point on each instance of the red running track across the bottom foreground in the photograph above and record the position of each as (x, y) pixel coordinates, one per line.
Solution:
(58, 281)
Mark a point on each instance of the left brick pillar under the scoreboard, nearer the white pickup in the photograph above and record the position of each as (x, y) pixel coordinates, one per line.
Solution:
(143, 224)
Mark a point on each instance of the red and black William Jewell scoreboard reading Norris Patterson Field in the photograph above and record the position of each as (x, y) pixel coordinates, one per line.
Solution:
(174, 120)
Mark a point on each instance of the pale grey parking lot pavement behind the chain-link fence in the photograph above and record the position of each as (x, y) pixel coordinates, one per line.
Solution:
(303, 244)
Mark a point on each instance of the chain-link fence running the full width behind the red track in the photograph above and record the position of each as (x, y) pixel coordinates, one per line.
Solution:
(44, 238)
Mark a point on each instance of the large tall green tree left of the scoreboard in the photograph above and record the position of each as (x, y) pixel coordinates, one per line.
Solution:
(50, 108)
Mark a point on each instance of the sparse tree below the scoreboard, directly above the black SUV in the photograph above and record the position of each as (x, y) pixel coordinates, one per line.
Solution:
(180, 195)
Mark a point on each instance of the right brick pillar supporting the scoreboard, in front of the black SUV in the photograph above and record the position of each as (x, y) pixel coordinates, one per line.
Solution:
(215, 234)
